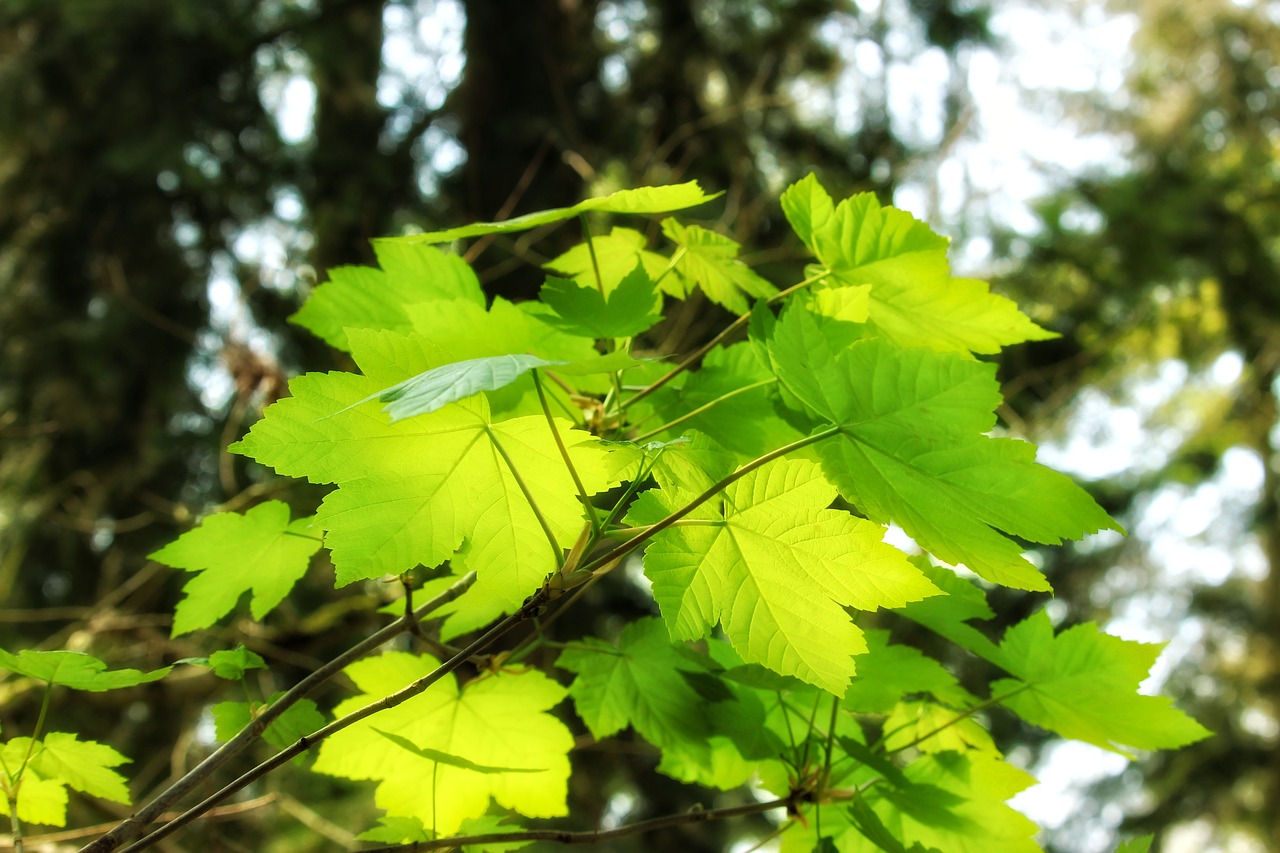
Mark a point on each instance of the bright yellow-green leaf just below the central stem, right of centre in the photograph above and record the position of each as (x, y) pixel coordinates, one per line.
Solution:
(769, 562)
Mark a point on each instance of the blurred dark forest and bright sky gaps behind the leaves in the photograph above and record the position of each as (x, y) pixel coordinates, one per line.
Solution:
(176, 176)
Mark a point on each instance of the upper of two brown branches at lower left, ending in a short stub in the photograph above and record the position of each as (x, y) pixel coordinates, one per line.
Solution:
(136, 824)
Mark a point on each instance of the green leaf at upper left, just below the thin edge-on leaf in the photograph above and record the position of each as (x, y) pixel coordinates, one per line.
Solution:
(365, 298)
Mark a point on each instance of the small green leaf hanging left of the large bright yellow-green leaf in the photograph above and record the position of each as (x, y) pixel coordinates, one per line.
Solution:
(260, 553)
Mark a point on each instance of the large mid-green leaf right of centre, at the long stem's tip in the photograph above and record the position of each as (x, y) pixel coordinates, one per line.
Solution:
(913, 450)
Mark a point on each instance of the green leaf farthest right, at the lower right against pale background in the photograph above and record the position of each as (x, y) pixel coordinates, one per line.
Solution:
(1084, 685)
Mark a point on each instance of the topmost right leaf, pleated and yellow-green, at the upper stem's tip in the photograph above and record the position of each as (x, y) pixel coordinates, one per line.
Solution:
(915, 300)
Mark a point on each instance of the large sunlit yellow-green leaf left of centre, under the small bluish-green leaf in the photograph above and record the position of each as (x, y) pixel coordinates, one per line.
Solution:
(413, 491)
